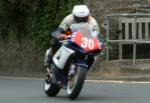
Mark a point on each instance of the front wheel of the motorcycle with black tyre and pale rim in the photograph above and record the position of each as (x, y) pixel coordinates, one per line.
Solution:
(75, 84)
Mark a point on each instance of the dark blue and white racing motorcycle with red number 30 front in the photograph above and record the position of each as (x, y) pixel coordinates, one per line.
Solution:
(72, 61)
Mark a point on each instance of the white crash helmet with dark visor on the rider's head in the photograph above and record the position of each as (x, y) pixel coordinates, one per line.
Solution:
(81, 13)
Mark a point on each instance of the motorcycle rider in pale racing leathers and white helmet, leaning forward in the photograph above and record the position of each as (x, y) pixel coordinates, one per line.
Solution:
(80, 13)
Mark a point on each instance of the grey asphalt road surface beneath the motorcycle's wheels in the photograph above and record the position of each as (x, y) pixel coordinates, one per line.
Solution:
(14, 90)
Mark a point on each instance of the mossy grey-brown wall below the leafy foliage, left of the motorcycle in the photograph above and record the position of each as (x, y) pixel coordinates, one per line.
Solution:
(19, 58)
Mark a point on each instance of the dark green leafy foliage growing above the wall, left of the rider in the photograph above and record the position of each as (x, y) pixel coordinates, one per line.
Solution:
(32, 19)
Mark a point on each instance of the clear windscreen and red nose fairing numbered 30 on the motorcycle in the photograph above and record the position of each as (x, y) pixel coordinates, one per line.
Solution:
(83, 37)
